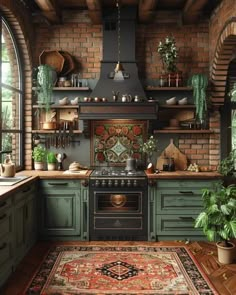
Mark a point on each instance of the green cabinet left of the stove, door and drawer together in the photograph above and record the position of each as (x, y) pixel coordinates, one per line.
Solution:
(61, 209)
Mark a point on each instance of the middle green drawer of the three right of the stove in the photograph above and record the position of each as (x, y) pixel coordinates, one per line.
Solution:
(171, 201)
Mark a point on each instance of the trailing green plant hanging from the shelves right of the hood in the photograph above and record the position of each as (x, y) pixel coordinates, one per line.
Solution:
(199, 82)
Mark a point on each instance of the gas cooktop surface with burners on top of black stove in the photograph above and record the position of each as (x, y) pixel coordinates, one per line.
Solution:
(116, 172)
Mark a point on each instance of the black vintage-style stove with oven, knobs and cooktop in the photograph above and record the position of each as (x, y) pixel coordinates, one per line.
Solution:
(118, 204)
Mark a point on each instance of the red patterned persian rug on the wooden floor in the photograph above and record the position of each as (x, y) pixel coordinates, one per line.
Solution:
(119, 270)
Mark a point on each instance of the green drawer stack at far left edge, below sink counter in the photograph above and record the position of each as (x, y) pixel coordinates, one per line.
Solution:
(6, 239)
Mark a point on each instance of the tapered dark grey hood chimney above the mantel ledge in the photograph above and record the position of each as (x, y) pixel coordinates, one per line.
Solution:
(131, 84)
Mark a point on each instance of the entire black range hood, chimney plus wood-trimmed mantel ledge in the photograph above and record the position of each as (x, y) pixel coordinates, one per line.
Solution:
(131, 85)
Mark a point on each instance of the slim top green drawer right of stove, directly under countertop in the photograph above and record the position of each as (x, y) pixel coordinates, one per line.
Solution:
(186, 184)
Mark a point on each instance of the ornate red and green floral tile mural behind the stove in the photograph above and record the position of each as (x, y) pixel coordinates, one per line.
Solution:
(112, 141)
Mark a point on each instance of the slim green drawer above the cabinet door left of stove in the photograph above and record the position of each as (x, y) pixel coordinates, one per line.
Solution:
(59, 184)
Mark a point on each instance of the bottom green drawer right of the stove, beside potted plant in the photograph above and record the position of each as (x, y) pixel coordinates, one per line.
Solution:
(176, 225)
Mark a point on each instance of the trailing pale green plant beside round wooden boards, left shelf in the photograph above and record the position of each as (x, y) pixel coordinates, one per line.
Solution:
(44, 87)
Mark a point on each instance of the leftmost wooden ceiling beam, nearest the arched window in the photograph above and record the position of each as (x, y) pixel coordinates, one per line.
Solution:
(50, 10)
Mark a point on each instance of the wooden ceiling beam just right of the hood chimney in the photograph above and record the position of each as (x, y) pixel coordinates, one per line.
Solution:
(147, 10)
